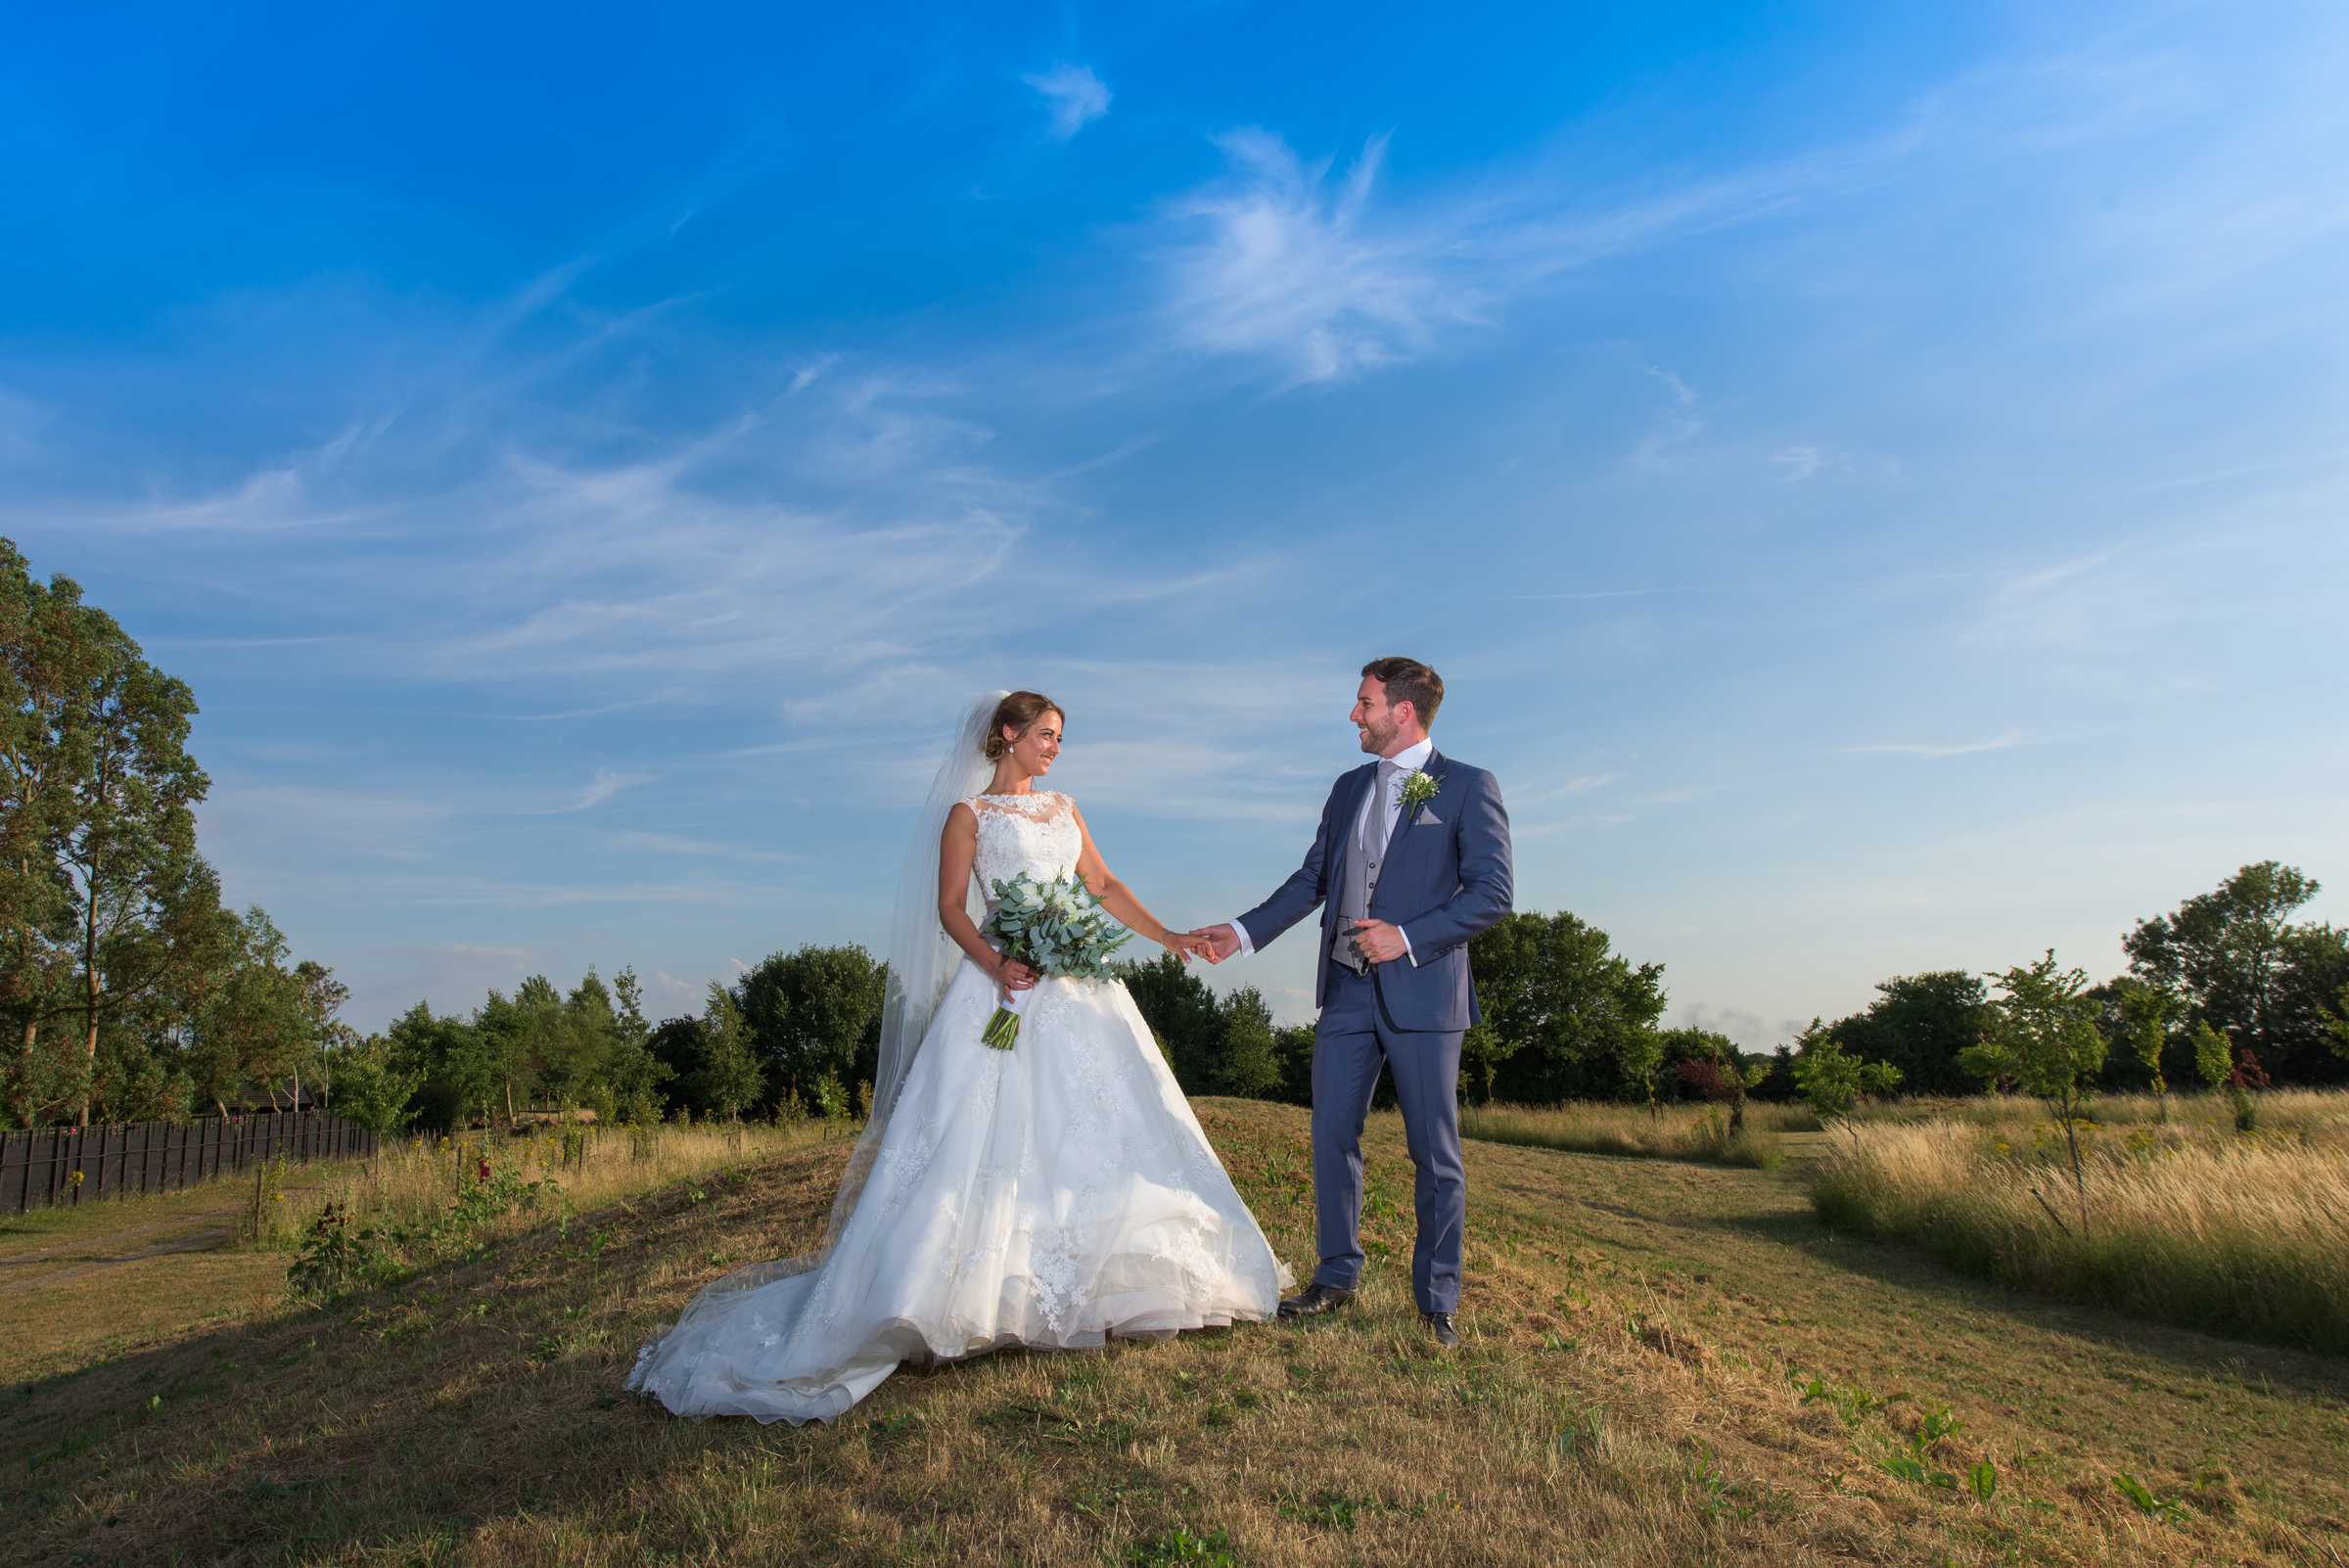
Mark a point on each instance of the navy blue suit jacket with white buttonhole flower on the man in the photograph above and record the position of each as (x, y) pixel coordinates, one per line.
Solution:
(1446, 879)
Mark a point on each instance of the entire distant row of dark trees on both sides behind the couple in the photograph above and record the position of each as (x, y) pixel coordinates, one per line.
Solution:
(2226, 978)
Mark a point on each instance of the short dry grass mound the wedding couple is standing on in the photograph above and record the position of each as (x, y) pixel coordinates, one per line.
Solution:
(1662, 1365)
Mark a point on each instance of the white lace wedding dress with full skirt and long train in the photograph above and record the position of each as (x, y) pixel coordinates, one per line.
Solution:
(1049, 1196)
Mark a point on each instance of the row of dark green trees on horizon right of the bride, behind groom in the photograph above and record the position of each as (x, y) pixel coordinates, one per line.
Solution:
(2228, 989)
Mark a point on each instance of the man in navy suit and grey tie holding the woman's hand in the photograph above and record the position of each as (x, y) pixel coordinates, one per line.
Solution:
(1408, 865)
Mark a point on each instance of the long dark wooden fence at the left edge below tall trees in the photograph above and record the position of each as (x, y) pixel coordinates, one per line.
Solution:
(79, 1165)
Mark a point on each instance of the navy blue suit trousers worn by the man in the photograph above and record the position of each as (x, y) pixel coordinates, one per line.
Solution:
(1350, 1046)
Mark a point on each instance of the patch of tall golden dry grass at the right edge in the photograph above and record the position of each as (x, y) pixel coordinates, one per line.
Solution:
(2186, 1222)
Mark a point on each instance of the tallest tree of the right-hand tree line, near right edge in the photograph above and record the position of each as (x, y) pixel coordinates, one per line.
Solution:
(2230, 954)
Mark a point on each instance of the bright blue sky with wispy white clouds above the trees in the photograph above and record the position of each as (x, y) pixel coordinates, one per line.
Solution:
(1871, 480)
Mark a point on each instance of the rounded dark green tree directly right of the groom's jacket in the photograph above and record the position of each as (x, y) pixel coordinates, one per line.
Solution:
(1568, 1018)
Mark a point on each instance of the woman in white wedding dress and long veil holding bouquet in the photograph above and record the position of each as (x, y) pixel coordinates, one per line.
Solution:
(1049, 1196)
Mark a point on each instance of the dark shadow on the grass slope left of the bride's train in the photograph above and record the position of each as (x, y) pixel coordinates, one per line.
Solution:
(403, 1417)
